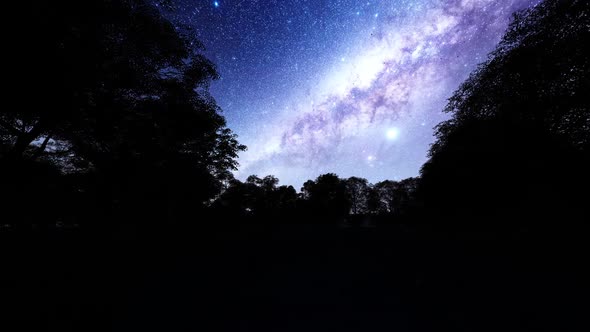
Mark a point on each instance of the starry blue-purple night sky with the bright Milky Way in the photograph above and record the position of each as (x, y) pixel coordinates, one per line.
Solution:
(344, 86)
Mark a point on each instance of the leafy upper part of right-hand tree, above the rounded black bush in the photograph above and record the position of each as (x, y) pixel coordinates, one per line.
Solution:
(537, 75)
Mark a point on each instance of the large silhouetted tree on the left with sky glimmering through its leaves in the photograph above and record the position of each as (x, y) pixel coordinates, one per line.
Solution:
(117, 91)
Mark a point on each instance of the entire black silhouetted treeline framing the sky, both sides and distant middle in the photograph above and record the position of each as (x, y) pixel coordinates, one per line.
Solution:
(110, 121)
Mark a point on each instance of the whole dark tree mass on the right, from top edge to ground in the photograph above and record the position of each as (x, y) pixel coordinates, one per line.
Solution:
(518, 136)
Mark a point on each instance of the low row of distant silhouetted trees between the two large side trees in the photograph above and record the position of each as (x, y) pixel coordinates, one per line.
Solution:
(327, 198)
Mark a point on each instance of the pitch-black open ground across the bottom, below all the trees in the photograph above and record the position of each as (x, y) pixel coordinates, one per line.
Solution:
(292, 278)
